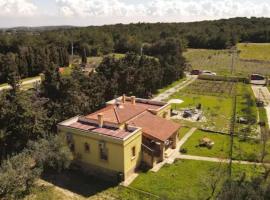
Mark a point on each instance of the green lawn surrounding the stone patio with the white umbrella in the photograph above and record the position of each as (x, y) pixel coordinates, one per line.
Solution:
(217, 110)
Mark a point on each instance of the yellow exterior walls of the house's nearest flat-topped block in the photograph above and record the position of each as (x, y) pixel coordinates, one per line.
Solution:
(119, 151)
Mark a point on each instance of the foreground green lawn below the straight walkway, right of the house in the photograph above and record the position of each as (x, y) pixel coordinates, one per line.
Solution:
(188, 179)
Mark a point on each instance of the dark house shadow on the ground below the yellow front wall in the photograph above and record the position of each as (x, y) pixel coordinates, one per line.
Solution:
(78, 182)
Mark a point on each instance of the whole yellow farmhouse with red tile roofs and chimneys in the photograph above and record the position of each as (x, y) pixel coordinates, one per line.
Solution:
(114, 141)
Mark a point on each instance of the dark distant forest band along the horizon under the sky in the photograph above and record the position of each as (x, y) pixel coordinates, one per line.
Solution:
(218, 34)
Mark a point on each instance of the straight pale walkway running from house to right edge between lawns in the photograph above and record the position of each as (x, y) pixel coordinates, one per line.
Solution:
(189, 157)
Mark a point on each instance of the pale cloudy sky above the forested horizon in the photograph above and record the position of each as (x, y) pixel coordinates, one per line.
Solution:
(99, 12)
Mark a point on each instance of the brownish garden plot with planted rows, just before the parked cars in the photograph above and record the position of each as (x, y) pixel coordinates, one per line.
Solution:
(211, 88)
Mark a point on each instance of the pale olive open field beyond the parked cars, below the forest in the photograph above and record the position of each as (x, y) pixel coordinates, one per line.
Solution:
(220, 61)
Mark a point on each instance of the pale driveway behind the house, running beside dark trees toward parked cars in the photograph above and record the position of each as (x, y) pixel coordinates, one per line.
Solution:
(166, 94)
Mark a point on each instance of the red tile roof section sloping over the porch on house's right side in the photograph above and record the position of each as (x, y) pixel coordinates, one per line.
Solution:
(155, 126)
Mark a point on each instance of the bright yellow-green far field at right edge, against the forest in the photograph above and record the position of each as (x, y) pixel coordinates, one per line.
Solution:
(254, 51)
